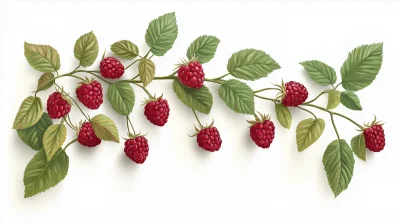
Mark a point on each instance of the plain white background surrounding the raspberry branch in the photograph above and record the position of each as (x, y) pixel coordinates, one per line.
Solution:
(180, 183)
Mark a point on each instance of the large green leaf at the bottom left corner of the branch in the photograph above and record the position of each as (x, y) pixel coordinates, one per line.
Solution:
(41, 174)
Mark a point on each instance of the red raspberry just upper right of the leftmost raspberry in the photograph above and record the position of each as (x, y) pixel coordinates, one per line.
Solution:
(90, 94)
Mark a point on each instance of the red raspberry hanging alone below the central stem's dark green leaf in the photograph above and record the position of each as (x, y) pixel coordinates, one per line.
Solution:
(209, 139)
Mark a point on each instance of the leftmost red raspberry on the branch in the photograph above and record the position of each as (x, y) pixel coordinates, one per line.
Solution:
(57, 106)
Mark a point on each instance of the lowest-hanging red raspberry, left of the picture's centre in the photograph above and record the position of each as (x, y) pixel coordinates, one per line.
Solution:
(137, 149)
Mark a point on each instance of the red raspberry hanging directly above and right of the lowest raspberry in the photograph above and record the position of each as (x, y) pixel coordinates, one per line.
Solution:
(157, 111)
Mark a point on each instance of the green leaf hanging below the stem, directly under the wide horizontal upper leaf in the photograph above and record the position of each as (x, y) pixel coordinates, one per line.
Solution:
(237, 96)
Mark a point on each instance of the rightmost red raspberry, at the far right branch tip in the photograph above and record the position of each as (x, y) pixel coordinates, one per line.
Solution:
(374, 138)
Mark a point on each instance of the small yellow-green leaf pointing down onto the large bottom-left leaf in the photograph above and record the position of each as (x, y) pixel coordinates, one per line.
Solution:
(53, 139)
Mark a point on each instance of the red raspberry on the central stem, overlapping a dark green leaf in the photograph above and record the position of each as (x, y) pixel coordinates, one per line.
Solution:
(191, 75)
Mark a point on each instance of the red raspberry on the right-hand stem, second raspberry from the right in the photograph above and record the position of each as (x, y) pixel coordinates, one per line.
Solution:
(295, 94)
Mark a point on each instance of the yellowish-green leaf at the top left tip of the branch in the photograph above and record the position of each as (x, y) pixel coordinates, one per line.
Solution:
(42, 57)
